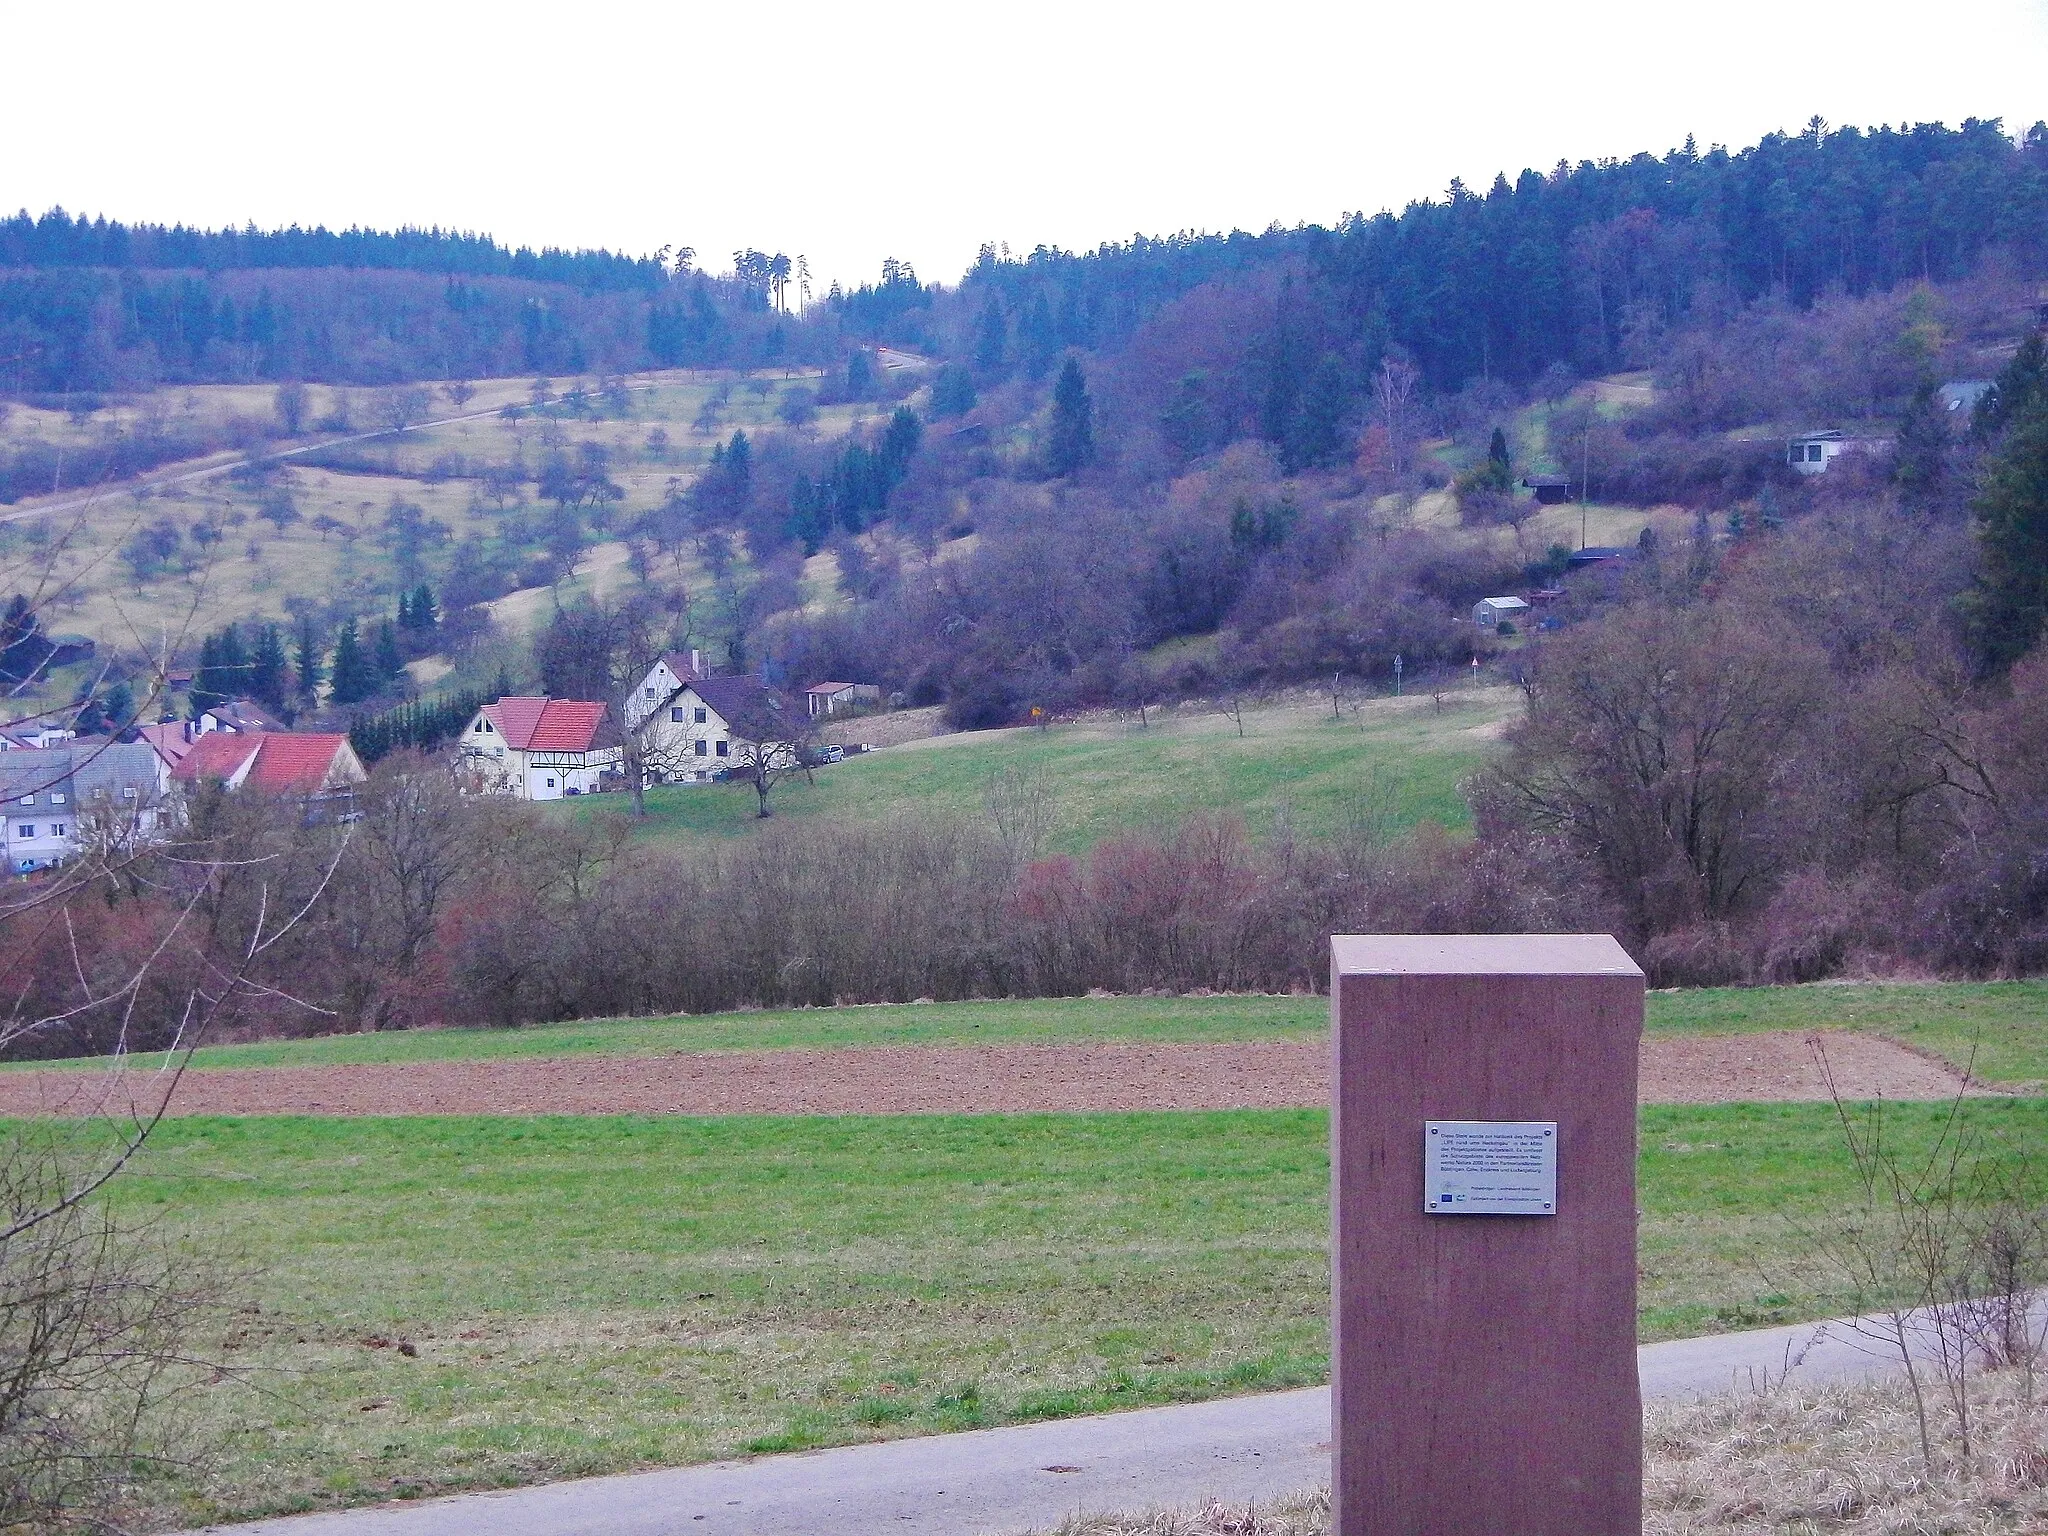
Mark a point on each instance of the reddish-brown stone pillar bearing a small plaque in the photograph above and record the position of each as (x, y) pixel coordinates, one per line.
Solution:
(1486, 1365)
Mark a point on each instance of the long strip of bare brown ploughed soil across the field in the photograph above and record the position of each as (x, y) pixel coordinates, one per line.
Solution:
(935, 1080)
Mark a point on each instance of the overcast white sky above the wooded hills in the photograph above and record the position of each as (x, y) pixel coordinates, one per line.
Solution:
(921, 130)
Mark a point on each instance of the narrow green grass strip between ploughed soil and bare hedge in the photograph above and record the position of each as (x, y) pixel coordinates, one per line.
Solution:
(2004, 1023)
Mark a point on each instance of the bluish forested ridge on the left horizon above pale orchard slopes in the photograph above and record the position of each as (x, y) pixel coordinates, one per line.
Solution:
(95, 306)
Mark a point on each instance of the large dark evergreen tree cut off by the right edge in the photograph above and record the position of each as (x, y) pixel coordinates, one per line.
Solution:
(2010, 605)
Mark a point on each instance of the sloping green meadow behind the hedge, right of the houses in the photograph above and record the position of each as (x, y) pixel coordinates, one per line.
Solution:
(1398, 759)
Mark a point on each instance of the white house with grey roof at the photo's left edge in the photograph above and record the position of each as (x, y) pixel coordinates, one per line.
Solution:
(58, 800)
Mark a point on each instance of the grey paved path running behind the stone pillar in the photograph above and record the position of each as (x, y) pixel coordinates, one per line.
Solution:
(1029, 1476)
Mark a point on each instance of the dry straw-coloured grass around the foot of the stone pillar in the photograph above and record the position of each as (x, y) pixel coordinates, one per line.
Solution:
(1840, 1461)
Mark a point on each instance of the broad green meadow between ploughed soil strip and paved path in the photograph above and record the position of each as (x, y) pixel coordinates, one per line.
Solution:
(765, 1283)
